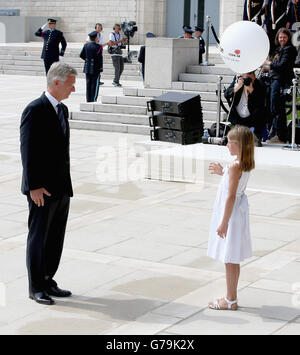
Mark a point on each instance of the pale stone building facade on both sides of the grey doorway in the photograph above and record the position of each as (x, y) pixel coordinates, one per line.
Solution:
(77, 17)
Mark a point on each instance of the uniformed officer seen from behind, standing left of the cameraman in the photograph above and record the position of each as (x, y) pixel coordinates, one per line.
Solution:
(92, 54)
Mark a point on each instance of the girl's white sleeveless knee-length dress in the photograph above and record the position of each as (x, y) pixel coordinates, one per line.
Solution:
(236, 247)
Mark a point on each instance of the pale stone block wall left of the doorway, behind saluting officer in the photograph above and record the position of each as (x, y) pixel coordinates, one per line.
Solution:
(79, 17)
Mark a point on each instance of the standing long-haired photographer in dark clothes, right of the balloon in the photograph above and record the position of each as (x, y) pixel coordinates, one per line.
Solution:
(281, 74)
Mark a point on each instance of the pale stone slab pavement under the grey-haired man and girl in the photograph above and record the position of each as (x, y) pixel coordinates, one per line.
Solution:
(135, 251)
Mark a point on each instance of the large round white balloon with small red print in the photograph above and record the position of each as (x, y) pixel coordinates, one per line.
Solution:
(244, 46)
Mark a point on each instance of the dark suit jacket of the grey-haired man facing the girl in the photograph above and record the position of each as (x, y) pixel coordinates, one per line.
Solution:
(45, 149)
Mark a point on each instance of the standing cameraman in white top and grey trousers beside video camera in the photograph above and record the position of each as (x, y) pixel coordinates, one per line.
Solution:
(116, 43)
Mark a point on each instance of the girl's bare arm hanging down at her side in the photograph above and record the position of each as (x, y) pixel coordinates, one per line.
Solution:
(234, 178)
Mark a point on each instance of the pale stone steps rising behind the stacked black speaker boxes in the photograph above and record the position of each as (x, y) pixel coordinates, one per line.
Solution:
(128, 113)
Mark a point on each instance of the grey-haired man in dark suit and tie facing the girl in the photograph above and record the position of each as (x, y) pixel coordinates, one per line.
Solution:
(46, 181)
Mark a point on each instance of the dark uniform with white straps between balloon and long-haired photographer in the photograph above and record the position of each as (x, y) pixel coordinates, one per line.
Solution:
(276, 18)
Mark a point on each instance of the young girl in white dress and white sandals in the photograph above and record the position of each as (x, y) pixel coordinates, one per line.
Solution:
(230, 235)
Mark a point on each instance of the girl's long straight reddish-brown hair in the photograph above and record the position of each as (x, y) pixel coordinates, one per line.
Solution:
(244, 137)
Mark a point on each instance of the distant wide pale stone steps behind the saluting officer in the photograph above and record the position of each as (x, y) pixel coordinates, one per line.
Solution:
(25, 60)
